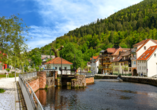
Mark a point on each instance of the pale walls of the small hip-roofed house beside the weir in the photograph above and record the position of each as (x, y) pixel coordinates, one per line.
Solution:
(64, 66)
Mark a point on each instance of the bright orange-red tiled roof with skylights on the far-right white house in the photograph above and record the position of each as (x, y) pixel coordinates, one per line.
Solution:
(147, 53)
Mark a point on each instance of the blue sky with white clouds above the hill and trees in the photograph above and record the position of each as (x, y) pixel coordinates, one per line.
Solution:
(49, 19)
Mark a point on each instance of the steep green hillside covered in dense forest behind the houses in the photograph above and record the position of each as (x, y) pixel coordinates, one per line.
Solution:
(124, 28)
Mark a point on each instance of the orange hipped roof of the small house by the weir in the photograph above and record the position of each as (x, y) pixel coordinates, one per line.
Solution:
(58, 61)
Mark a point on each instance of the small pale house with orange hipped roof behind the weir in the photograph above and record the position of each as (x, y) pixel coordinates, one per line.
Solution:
(57, 63)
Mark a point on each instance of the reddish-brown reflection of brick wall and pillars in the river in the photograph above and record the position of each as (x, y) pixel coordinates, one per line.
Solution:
(53, 99)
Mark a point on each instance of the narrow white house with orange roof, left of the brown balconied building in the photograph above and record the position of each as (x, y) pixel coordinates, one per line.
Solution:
(94, 64)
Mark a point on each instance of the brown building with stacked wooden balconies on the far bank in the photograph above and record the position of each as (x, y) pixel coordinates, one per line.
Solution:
(106, 58)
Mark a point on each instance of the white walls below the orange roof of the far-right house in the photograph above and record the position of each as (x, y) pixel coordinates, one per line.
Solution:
(148, 67)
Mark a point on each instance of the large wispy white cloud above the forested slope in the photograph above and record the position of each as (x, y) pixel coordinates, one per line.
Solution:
(61, 16)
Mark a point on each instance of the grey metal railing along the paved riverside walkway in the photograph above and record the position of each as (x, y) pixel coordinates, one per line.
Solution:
(30, 97)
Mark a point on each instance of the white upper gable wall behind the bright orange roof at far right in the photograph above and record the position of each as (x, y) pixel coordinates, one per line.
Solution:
(144, 48)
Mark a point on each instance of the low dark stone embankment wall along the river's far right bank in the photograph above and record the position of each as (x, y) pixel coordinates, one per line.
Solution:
(135, 79)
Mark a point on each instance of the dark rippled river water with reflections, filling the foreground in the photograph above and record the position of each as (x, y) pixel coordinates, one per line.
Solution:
(103, 95)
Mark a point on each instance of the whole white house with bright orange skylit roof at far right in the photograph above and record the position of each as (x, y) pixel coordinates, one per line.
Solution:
(147, 62)
